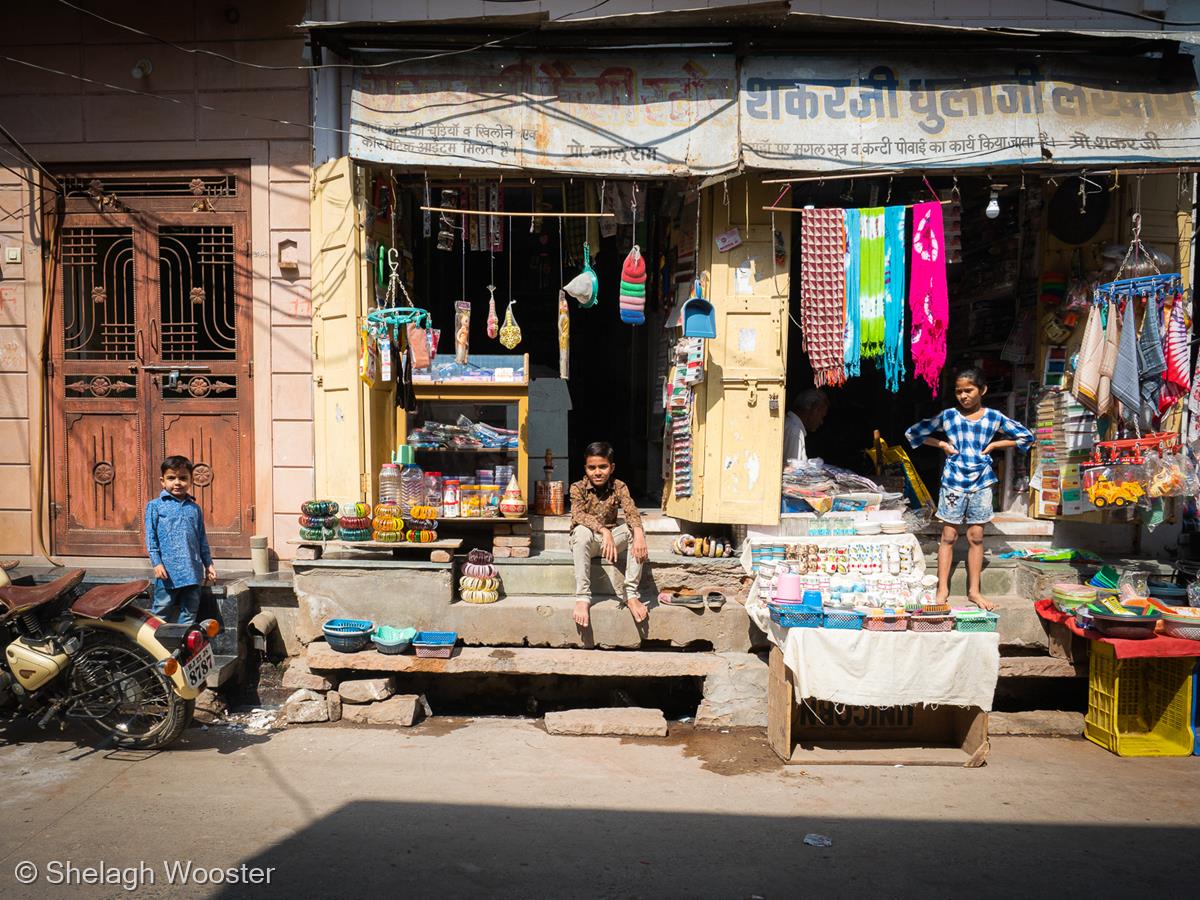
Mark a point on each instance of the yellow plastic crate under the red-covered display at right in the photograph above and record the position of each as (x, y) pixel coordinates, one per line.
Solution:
(1139, 707)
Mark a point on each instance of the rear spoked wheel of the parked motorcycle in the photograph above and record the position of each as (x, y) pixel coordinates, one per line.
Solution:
(124, 697)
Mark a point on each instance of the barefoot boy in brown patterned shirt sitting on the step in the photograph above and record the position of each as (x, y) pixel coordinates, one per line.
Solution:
(596, 532)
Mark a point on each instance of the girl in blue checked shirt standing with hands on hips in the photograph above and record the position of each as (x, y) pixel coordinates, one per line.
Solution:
(973, 434)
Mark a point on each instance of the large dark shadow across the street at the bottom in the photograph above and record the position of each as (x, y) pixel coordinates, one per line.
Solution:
(429, 850)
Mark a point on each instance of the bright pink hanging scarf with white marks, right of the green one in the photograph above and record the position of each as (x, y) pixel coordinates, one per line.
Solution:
(928, 301)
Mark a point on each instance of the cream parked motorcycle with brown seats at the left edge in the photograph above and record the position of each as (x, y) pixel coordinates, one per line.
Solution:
(94, 657)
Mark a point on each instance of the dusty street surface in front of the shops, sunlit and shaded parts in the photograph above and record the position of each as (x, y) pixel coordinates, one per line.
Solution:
(489, 808)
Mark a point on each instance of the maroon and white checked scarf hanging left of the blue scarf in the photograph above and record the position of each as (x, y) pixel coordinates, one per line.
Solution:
(823, 292)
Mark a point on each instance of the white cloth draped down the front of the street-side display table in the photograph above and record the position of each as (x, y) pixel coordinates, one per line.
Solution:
(881, 669)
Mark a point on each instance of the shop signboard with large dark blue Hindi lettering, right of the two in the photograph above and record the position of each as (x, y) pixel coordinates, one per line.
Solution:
(958, 111)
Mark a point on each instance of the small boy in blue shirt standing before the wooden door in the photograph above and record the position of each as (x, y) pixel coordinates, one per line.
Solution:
(178, 545)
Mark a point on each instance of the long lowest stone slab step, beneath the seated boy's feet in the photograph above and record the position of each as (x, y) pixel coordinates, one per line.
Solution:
(525, 662)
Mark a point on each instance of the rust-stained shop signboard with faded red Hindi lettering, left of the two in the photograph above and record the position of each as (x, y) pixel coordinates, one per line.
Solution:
(611, 115)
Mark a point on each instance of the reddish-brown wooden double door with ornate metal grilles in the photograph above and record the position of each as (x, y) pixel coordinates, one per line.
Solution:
(152, 355)
